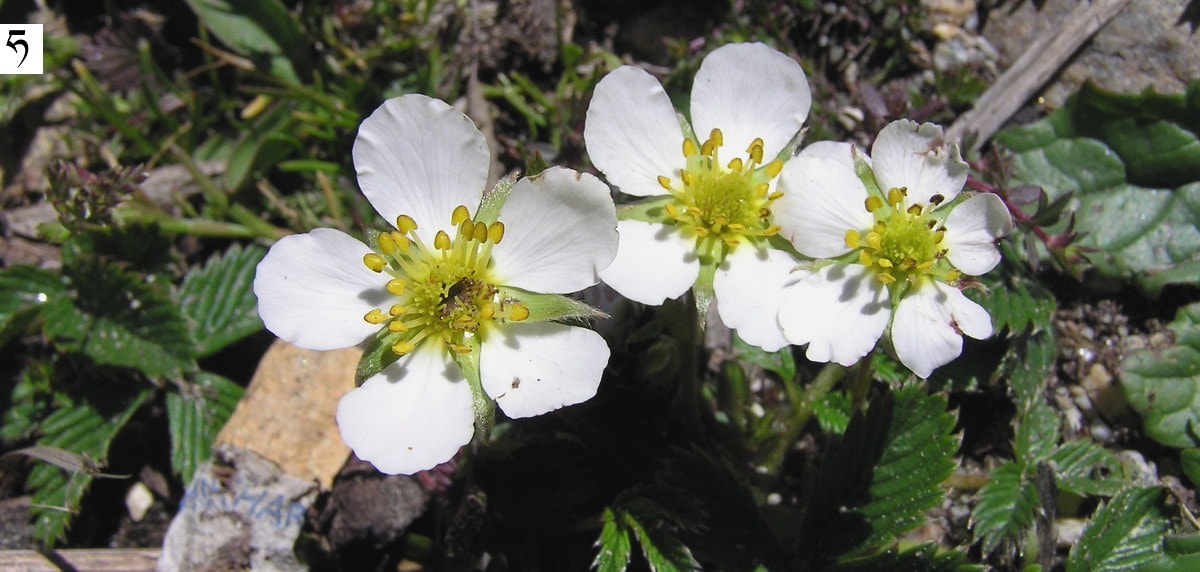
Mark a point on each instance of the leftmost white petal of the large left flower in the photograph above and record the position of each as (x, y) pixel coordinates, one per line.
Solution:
(314, 291)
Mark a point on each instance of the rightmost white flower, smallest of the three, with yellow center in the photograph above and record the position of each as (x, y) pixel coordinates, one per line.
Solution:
(902, 242)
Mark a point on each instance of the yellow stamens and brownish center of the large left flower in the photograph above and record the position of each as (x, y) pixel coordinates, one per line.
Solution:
(442, 293)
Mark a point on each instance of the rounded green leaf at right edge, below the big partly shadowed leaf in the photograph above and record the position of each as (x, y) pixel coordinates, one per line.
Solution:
(1163, 386)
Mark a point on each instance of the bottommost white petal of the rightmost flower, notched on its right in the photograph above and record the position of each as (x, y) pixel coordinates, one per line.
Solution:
(928, 327)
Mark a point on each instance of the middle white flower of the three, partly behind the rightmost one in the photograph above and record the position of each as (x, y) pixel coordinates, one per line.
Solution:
(709, 224)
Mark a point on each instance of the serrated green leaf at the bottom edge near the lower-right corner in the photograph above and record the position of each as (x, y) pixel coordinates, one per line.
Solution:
(1125, 535)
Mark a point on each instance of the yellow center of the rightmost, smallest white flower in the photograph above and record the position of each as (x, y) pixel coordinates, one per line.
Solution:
(905, 243)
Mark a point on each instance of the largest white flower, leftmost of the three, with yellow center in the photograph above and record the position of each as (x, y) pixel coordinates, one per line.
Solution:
(455, 284)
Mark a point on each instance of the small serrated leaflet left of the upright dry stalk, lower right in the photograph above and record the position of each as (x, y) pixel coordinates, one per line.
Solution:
(1007, 507)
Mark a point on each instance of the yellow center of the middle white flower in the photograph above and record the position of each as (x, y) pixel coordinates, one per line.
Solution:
(723, 204)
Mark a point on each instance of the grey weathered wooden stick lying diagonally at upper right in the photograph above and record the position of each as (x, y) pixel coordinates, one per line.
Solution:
(1033, 70)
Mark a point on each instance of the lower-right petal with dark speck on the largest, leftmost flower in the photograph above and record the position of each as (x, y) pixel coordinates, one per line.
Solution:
(535, 369)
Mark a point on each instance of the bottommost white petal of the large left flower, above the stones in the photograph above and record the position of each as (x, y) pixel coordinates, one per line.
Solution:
(411, 418)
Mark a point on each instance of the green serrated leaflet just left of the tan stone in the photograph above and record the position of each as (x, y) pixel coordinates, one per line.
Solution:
(195, 416)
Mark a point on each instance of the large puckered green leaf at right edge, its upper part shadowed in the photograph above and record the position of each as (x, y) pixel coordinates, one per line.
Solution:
(1133, 162)
